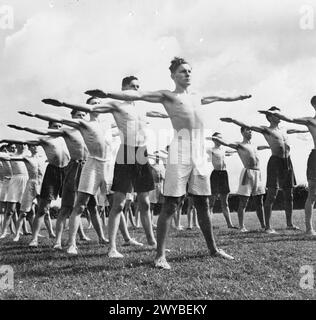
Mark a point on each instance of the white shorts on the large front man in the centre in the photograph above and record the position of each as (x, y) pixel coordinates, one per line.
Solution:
(187, 166)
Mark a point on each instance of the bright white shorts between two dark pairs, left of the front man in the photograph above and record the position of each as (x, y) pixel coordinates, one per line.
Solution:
(95, 174)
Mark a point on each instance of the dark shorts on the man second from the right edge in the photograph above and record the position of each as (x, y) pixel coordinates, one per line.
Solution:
(280, 174)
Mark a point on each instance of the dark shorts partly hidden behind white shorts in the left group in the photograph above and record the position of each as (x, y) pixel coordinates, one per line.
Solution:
(71, 182)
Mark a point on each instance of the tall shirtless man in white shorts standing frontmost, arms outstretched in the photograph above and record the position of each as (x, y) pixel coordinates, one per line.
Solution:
(183, 109)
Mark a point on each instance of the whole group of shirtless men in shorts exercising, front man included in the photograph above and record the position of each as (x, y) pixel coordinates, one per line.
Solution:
(90, 175)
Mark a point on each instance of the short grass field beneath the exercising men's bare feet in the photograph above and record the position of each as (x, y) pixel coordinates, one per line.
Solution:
(265, 267)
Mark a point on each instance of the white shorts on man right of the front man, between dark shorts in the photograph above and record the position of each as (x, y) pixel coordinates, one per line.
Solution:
(250, 183)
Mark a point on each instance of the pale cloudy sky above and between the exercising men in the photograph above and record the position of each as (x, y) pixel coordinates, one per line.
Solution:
(62, 48)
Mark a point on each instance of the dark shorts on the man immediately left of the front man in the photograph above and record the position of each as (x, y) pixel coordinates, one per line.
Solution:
(132, 170)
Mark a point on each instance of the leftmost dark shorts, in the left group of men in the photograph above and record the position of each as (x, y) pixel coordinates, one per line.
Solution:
(52, 183)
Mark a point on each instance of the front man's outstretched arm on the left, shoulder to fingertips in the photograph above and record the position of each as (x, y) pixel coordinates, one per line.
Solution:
(130, 95)
